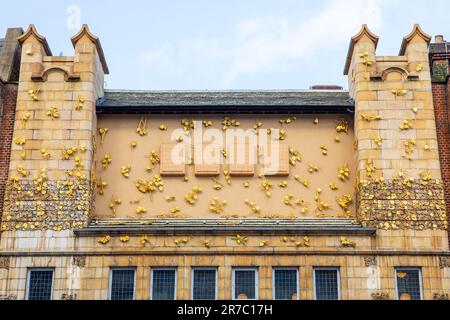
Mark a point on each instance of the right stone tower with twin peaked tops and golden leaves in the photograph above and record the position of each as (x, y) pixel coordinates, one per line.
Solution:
(399, 175)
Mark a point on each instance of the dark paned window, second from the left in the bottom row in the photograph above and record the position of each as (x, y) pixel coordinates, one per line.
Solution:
(122, 284)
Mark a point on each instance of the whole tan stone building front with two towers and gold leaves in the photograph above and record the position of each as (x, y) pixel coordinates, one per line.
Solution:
(109, 194)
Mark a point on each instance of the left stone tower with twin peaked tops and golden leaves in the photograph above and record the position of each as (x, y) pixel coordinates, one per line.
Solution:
(50, 181)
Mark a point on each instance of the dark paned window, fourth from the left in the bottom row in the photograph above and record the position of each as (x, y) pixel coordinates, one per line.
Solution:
(204, 284)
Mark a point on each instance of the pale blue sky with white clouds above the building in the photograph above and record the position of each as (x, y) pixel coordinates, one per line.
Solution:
(225, 44)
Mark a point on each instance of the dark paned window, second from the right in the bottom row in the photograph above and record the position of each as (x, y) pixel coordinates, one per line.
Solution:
(326, 284)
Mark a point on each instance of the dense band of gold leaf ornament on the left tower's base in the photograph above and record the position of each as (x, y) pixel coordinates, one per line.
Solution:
(47, 205)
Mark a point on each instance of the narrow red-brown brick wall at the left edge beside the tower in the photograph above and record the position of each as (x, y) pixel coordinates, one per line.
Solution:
(8, 96)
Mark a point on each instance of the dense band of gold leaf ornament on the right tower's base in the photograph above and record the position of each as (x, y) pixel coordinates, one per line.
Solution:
(402, 204)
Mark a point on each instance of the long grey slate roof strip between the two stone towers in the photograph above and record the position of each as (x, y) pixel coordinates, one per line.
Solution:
(239, 101)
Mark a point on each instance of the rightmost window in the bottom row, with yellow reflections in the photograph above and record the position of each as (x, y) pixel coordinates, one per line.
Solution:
(408, 282)
